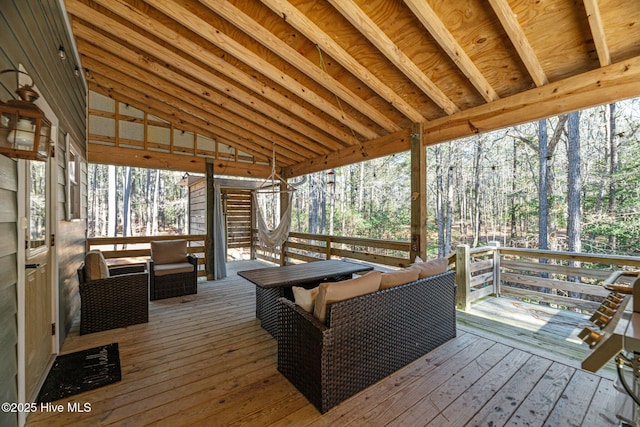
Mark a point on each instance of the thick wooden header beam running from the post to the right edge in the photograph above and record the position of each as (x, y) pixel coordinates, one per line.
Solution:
(601, 86)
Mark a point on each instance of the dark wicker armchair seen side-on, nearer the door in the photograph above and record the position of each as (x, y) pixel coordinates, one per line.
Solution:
(120, 300)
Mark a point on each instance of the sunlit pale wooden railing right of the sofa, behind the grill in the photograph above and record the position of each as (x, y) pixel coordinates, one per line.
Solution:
(565, 279)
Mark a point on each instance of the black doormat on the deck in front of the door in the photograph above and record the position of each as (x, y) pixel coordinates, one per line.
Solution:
(81, 371)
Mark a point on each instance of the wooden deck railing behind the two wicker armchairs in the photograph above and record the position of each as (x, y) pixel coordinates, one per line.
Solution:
(133, 250)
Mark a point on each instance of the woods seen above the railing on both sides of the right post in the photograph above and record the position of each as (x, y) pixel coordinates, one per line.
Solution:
(573, 176)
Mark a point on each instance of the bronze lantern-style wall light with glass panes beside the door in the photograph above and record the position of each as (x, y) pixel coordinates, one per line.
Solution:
(25, 132)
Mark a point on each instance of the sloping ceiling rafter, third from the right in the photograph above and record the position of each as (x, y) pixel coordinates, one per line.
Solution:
(450, 45)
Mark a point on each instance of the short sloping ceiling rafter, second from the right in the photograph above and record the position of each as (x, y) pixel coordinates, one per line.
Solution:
(510, 23)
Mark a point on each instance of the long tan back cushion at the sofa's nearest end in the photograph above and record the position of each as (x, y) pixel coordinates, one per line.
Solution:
(331, 292)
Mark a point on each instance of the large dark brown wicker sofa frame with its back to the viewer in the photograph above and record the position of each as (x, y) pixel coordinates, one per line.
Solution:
(365, 338)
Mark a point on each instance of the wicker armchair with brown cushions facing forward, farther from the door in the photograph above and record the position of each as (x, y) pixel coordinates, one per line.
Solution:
(172, 271)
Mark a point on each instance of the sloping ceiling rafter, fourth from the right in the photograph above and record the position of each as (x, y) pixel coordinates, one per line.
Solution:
(380, 40)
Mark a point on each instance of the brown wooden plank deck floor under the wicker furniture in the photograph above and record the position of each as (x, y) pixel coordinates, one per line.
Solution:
(204, 360)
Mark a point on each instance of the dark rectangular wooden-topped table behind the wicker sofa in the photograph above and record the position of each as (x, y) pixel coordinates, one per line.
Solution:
(275, 282)
